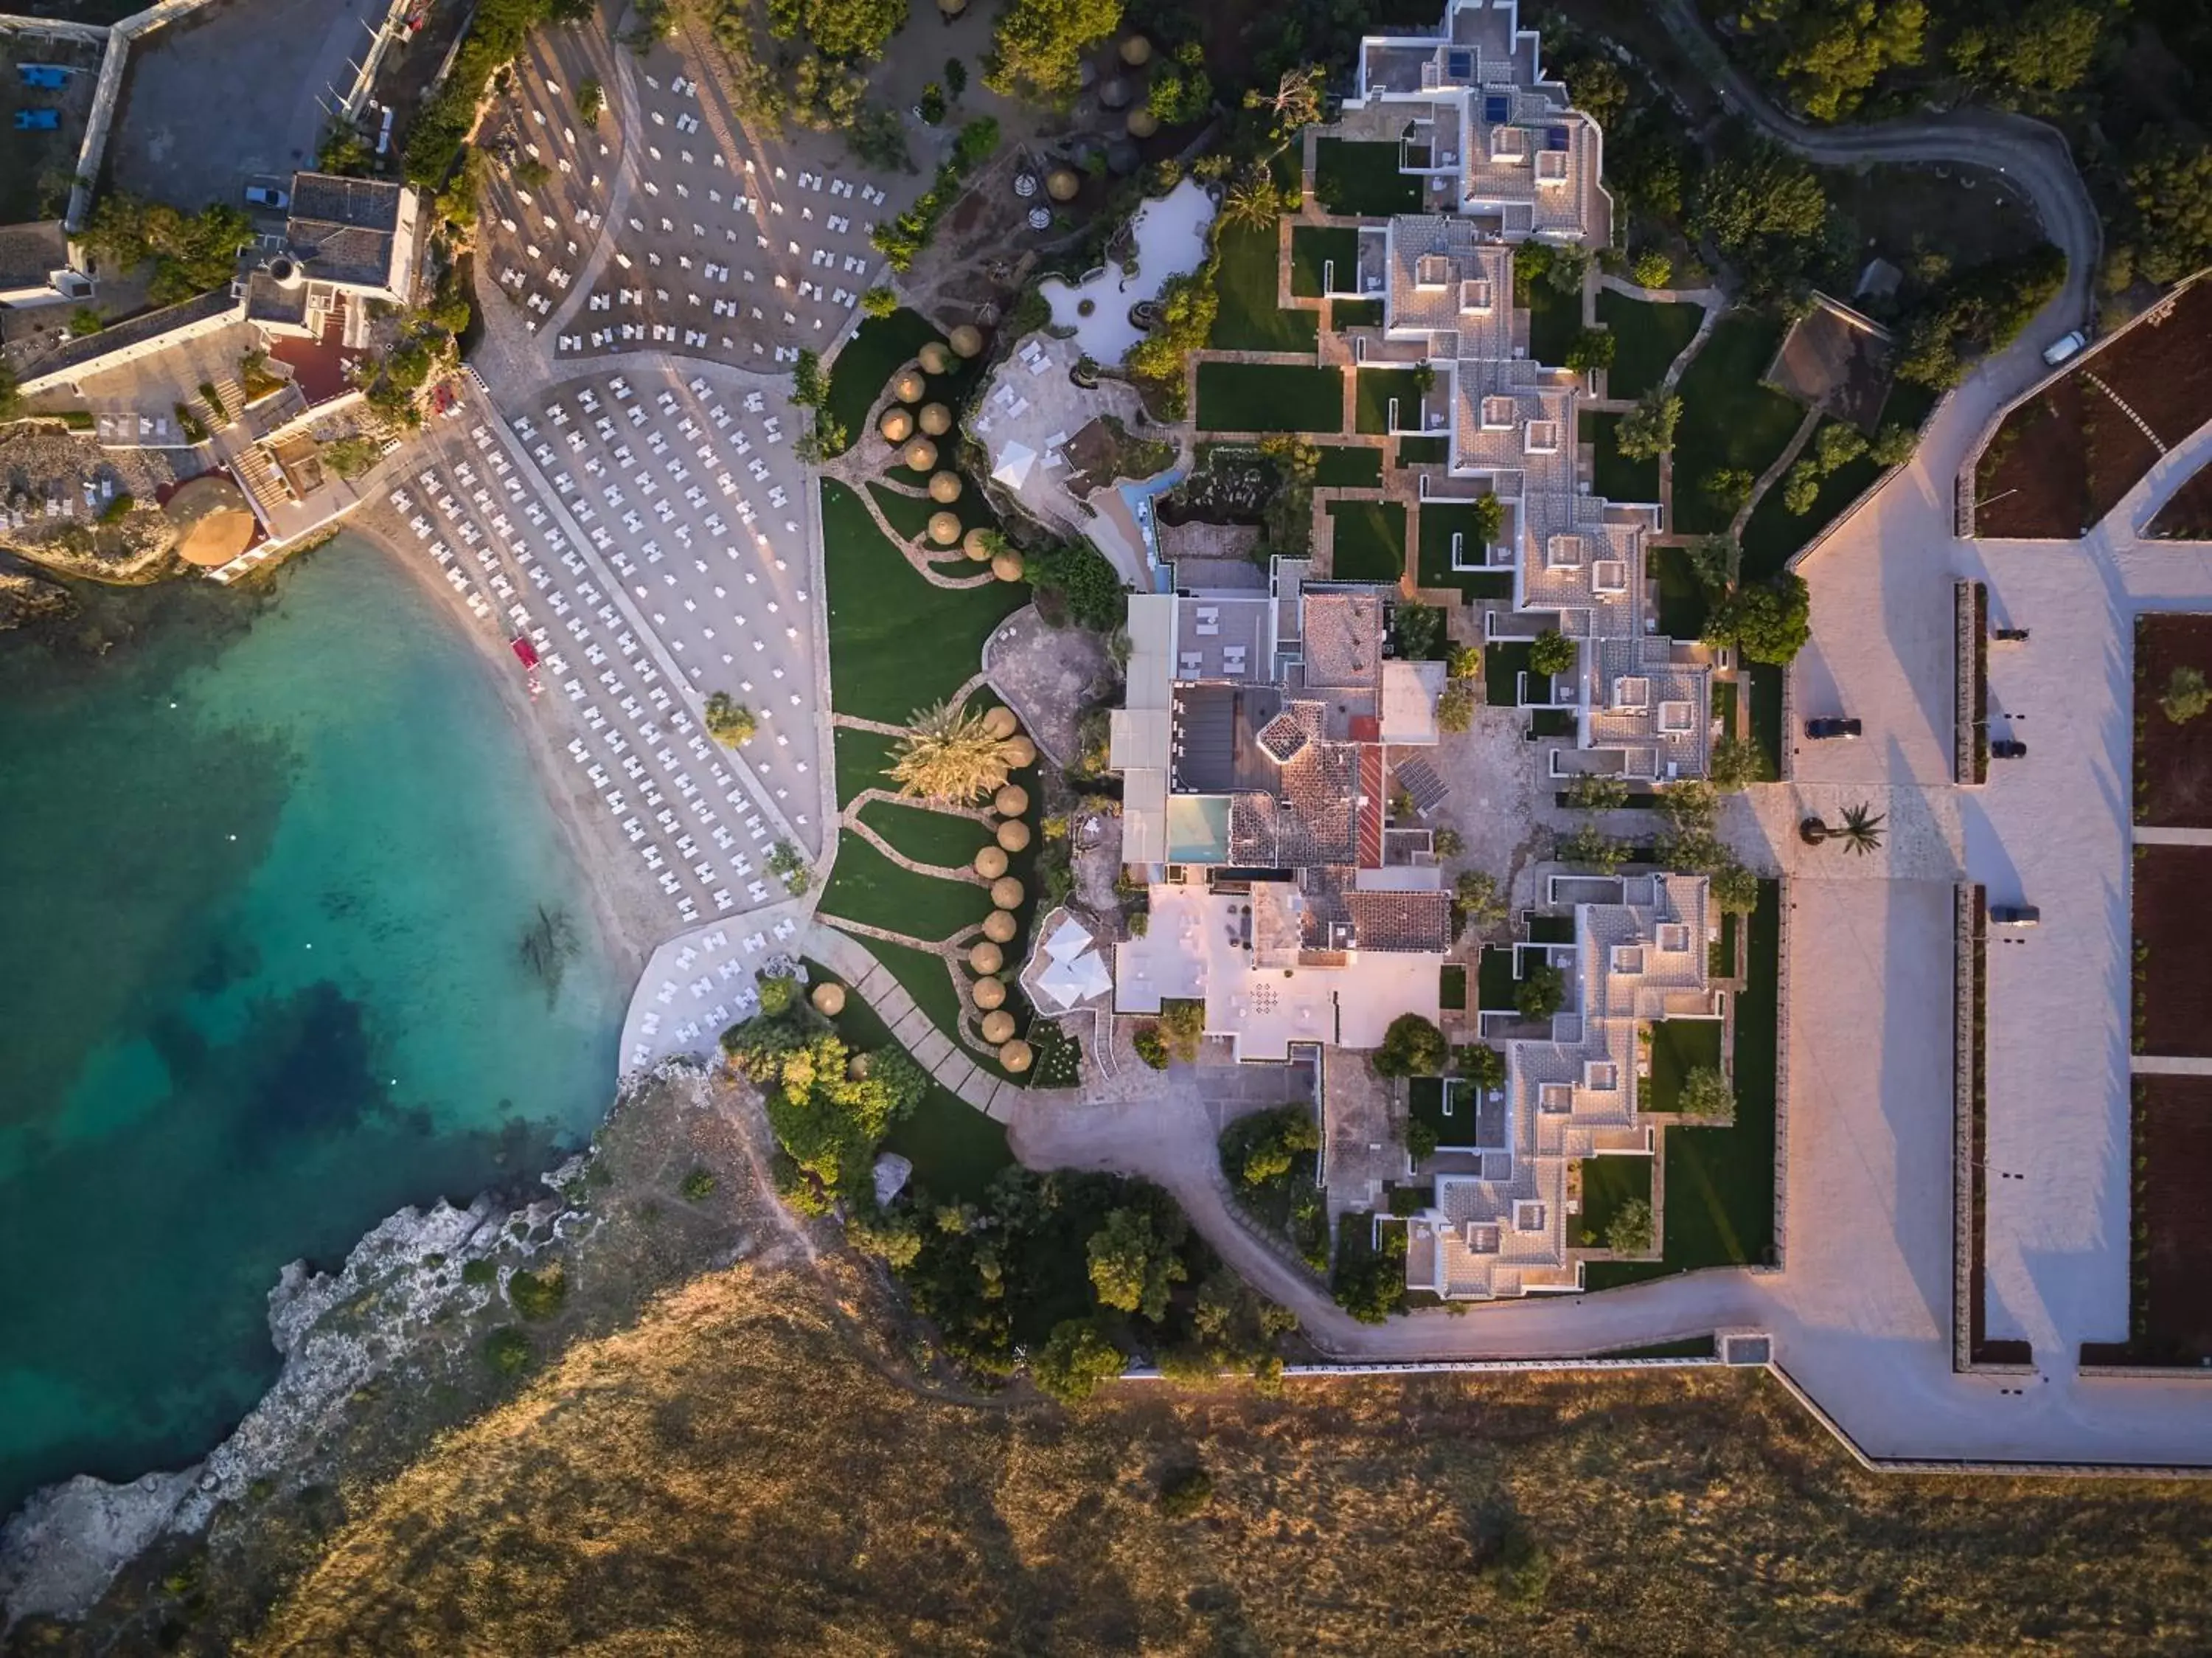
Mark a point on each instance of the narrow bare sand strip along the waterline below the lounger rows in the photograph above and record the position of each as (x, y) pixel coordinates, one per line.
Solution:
(632, 913)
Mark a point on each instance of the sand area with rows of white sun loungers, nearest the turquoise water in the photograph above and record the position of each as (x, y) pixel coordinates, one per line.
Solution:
(585, 530)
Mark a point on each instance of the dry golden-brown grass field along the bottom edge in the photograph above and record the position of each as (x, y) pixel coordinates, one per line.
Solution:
(755, 1469)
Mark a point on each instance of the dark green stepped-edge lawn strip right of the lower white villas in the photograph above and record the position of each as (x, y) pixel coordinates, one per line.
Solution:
(1720, 1183)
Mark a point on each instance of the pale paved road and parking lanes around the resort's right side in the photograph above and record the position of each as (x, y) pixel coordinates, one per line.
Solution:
(1861, 1312)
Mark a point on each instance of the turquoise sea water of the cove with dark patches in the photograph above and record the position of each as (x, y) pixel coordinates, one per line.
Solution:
(267, 869)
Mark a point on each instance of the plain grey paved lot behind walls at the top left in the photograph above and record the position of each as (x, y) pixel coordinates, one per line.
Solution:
(231, 94)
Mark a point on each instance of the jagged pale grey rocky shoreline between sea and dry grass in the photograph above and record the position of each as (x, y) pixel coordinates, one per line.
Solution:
(413, 1303)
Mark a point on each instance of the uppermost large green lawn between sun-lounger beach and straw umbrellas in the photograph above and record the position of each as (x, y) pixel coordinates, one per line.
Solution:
(897, 643)
